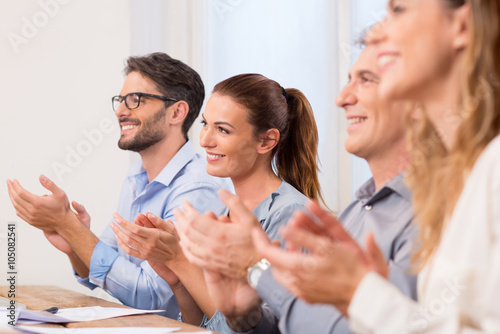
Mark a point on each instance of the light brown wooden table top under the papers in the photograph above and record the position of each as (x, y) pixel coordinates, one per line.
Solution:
(38, 297)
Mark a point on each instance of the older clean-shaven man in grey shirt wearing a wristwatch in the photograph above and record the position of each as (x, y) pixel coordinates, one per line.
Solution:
(383, 206)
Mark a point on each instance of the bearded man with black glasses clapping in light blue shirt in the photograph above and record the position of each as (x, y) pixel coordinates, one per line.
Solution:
(160, 99)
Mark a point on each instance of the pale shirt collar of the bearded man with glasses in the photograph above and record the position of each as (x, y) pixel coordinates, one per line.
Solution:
(180, 159)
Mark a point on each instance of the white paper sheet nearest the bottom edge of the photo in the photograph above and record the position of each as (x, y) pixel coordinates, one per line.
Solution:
(103, 330)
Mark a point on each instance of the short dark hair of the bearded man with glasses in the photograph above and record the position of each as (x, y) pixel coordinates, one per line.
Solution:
(173, 79)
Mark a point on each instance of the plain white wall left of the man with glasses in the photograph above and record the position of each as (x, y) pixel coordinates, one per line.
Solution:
(55, 85)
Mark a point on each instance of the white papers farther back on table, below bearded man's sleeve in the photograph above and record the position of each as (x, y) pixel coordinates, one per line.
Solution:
(77, 314)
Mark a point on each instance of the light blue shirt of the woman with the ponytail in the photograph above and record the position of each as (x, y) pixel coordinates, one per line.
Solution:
(272, 213)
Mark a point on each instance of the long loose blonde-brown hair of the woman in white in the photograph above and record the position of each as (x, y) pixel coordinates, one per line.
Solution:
(437, 176)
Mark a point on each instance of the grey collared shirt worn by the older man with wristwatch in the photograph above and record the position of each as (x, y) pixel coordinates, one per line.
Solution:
(388, 214)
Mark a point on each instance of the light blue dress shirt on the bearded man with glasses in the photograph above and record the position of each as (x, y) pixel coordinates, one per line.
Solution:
(132, 280)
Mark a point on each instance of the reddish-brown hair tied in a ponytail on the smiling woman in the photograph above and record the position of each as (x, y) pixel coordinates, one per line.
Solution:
(270, 106)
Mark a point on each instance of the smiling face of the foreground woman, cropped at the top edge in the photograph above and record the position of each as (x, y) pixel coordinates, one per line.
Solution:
(415, 47)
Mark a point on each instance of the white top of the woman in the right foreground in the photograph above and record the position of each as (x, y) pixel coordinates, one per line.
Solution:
(459, 290)
